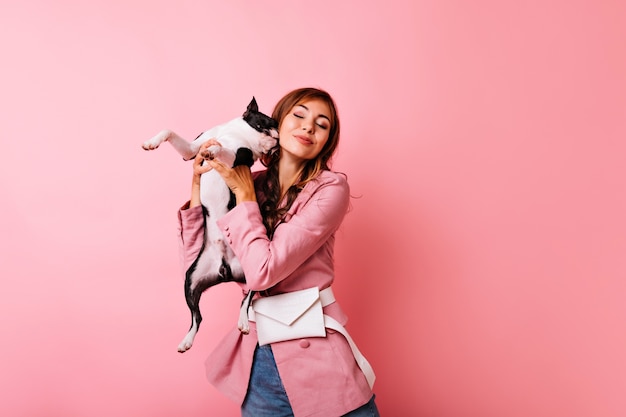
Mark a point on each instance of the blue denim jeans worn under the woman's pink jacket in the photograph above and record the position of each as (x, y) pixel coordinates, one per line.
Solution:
(266, 395)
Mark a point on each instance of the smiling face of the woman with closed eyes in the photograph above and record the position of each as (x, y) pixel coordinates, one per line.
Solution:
(304, 130)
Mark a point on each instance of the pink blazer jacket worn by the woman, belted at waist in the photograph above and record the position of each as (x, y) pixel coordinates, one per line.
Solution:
(320, 375)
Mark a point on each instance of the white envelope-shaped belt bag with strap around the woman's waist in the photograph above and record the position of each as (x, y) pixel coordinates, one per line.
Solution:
(297, 315)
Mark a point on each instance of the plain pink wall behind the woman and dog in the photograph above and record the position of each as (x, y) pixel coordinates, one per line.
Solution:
(483, 264)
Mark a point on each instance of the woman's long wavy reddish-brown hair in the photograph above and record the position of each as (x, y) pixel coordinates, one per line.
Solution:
(270, 209)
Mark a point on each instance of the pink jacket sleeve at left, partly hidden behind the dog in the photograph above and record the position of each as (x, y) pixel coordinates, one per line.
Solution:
(190, 234)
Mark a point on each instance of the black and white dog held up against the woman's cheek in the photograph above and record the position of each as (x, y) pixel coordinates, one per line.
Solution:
(242, 141)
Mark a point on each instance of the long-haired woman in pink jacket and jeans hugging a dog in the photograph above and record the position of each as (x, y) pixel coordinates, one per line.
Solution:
(282, 231)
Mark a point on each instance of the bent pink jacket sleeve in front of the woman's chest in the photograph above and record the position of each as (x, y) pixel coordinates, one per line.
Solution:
(306, 228)
